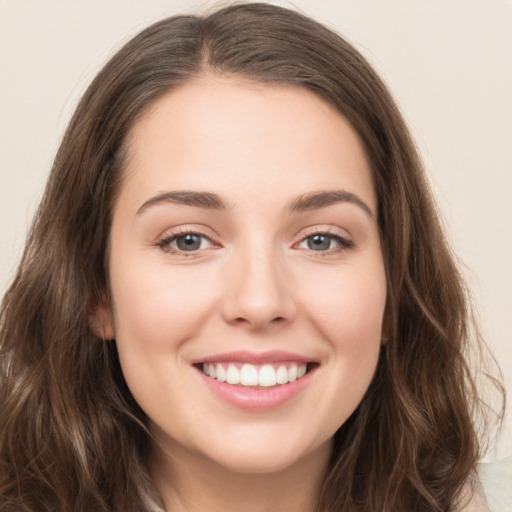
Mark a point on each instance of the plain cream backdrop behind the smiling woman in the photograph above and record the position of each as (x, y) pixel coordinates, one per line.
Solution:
(448, 64)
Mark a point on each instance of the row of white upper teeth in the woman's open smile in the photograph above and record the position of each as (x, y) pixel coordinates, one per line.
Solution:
(251, 375)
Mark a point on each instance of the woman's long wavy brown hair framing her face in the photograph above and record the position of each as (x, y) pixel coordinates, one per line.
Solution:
(71, 435)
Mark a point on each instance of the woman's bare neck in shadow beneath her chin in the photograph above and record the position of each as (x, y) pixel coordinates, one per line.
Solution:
(189, 482)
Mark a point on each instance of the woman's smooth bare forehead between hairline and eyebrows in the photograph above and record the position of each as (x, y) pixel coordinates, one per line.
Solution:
(231, 136)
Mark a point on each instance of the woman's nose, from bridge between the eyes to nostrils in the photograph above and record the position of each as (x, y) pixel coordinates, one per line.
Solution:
(259, 292)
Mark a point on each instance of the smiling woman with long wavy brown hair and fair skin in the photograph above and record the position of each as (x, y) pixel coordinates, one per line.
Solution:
(236, 294)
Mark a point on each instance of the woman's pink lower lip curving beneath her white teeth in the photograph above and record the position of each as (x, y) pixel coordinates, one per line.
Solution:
(260, 399)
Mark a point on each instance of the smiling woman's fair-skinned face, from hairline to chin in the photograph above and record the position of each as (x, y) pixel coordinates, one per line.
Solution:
(245, 247)
